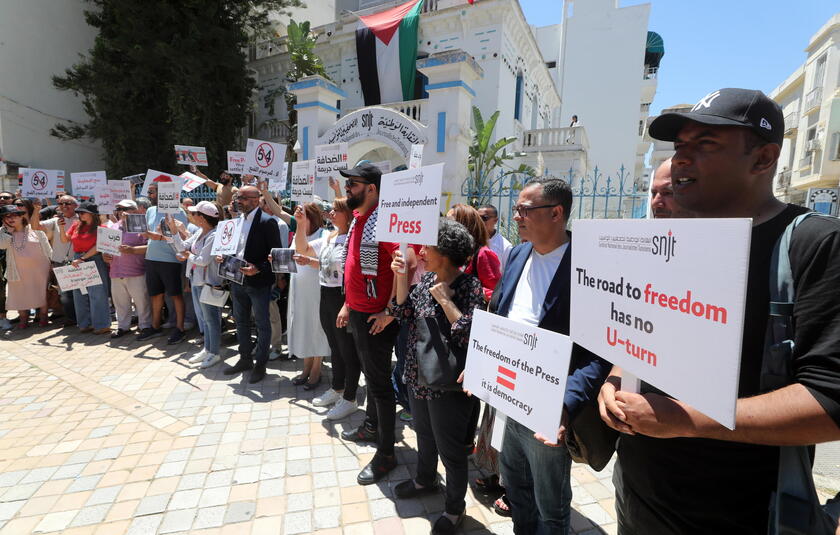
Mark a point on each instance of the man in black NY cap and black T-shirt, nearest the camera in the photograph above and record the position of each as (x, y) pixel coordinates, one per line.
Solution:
(706, 478)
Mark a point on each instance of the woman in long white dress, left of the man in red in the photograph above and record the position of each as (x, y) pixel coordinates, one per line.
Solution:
(306, 336)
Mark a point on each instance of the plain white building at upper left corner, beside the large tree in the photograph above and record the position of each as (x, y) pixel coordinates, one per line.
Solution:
(41, 38)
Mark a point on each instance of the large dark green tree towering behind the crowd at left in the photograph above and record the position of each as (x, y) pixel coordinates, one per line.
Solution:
(163, 72)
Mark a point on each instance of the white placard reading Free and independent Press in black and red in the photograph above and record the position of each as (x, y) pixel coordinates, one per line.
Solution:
(409, 206)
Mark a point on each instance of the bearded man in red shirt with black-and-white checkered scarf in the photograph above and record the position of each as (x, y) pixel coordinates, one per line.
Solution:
(368, 281)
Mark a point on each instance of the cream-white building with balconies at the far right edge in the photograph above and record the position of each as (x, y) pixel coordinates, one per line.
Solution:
(810, 100)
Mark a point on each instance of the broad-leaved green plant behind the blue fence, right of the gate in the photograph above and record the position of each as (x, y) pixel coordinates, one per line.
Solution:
(486, 164)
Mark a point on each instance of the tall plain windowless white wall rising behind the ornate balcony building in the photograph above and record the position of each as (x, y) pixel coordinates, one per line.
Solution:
(602, 78)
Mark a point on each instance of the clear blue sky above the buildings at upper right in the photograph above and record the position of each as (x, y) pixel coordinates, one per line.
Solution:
(711, 44)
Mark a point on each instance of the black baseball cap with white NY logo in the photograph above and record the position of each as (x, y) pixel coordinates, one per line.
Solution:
(727, 107)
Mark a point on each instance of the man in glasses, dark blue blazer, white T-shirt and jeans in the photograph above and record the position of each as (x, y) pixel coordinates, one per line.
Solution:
(534, 290)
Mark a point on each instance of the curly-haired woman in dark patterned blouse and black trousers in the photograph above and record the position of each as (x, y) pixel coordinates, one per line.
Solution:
(439, 314)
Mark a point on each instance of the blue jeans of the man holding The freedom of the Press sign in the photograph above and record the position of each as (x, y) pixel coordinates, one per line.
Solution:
(537, 482)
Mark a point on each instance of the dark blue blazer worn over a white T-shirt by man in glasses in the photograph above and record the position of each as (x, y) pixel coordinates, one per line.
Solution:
(587, 371)
